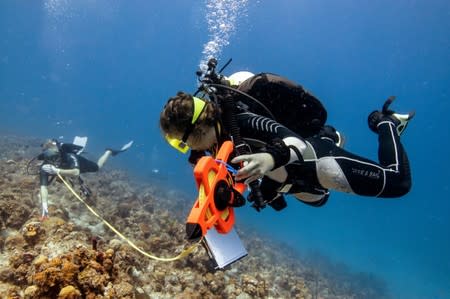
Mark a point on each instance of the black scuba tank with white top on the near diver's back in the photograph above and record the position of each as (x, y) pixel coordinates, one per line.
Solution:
(281, 100)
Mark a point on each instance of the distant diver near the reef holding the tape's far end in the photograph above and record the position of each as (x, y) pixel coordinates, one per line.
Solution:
(65, 159)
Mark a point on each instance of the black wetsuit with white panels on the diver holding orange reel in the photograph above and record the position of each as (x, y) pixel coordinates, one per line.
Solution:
(316, 164)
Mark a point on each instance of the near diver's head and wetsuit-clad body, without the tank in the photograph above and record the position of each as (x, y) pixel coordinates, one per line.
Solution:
(287, 163)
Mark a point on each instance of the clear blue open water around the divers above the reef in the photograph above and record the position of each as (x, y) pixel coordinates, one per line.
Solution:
(105, 69)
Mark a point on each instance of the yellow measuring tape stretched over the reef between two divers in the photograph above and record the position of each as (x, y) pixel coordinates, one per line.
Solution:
(183, 254)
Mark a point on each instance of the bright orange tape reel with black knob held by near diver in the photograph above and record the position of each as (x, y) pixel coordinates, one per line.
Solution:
(217, 194)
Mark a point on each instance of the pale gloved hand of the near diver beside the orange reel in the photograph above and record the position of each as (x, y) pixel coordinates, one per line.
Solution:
(255, 166)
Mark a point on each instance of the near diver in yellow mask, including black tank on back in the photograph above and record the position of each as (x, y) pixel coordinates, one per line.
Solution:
(300, 156)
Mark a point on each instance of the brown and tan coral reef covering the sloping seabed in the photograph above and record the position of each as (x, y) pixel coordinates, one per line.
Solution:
(73, 254)
